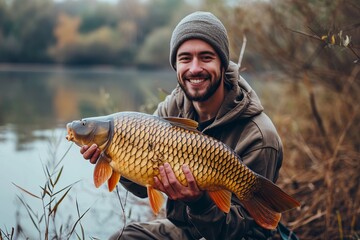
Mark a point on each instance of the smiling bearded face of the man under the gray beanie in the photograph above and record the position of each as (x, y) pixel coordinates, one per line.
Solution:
(198, 69)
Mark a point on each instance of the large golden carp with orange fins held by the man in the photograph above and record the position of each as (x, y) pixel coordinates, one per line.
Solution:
(134, 145)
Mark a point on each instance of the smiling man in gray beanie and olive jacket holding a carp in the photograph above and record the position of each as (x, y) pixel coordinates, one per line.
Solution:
(211, 92)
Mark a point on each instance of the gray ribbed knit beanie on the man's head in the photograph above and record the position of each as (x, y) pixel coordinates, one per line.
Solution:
(204, 26)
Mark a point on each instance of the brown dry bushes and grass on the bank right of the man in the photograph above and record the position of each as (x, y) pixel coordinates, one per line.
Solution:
(312, 94)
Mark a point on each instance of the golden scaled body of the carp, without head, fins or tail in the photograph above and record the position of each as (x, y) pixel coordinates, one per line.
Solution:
(142, 143)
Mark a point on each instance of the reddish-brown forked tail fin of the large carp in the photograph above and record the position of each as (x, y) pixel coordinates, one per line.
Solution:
(267, 204)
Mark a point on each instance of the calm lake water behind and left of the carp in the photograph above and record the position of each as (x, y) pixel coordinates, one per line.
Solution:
(35, 104)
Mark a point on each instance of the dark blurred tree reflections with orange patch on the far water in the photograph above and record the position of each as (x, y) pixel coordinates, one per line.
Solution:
(44, 99)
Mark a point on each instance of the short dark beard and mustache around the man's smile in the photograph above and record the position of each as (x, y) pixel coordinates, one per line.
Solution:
(197, 96)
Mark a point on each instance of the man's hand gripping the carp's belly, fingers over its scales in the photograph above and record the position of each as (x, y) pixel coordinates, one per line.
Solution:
(173, 188)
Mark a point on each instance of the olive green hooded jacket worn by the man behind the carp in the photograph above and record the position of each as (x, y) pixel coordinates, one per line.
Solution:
(242, 125)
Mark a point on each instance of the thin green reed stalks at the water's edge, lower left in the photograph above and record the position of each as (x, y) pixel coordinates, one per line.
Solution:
(45, 220)
